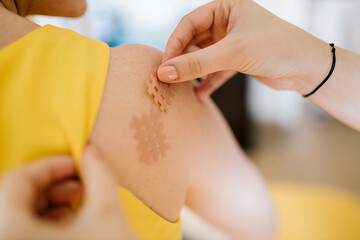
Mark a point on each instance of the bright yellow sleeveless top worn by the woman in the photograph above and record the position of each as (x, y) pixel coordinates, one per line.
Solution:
(51, 84)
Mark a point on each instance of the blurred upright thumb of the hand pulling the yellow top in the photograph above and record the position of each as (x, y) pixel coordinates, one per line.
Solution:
(100, 185)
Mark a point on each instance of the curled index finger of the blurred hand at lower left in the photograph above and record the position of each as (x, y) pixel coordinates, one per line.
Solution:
(22, 186)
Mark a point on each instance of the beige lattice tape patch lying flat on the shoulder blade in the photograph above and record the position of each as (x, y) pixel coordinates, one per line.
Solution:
(150, 137)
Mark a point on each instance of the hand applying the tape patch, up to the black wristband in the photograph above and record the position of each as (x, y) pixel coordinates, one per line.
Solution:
(242, 36)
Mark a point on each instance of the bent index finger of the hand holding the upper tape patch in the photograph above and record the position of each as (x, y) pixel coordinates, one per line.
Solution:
(198, 21)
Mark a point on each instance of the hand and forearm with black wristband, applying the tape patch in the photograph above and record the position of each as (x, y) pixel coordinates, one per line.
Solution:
(251, 40)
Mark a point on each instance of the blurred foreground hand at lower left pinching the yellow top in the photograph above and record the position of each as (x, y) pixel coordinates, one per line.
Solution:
(99, 218)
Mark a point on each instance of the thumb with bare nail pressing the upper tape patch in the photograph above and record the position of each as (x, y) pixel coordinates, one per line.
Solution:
(196, 64)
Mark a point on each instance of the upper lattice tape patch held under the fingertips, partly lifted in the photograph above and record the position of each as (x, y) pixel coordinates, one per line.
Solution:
(162, 93)
